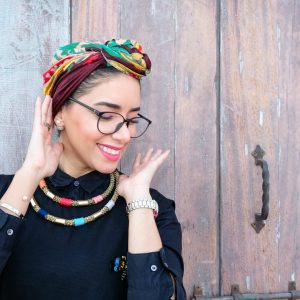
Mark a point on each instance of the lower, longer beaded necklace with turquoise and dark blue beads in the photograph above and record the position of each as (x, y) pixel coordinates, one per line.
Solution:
(81, 220)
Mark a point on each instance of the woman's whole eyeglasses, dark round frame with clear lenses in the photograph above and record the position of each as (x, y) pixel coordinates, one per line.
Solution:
(111, 122)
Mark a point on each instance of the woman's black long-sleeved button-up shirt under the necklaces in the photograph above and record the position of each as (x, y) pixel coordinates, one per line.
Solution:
(43, 260)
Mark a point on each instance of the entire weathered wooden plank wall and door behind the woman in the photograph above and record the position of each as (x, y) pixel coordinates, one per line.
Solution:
(225, 78)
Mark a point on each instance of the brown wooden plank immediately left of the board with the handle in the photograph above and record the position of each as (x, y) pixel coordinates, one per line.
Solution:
(196, 162)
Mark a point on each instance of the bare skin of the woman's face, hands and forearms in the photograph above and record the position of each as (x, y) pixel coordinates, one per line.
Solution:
(77, 153)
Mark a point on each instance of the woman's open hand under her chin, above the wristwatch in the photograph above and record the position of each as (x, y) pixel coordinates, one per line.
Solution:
(137, 184)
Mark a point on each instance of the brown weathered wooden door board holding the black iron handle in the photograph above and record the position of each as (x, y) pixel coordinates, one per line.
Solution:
(259, 105)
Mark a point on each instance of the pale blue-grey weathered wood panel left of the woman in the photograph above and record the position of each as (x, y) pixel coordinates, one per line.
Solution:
(31, 31)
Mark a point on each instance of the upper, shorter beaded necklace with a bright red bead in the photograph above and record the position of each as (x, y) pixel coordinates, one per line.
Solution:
(70, 202)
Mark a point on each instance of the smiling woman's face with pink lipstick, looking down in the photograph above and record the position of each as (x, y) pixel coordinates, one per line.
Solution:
(85, 148)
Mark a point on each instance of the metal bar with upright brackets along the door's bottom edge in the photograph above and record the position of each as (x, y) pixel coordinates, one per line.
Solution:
(237, 295)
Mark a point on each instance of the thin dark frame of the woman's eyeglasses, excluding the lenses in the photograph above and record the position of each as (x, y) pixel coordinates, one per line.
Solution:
(99, 114)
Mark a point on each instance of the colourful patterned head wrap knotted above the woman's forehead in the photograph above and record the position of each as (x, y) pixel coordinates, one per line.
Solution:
(73, 63)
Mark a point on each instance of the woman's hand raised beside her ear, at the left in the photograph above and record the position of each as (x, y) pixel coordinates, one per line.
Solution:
(42, 156)
